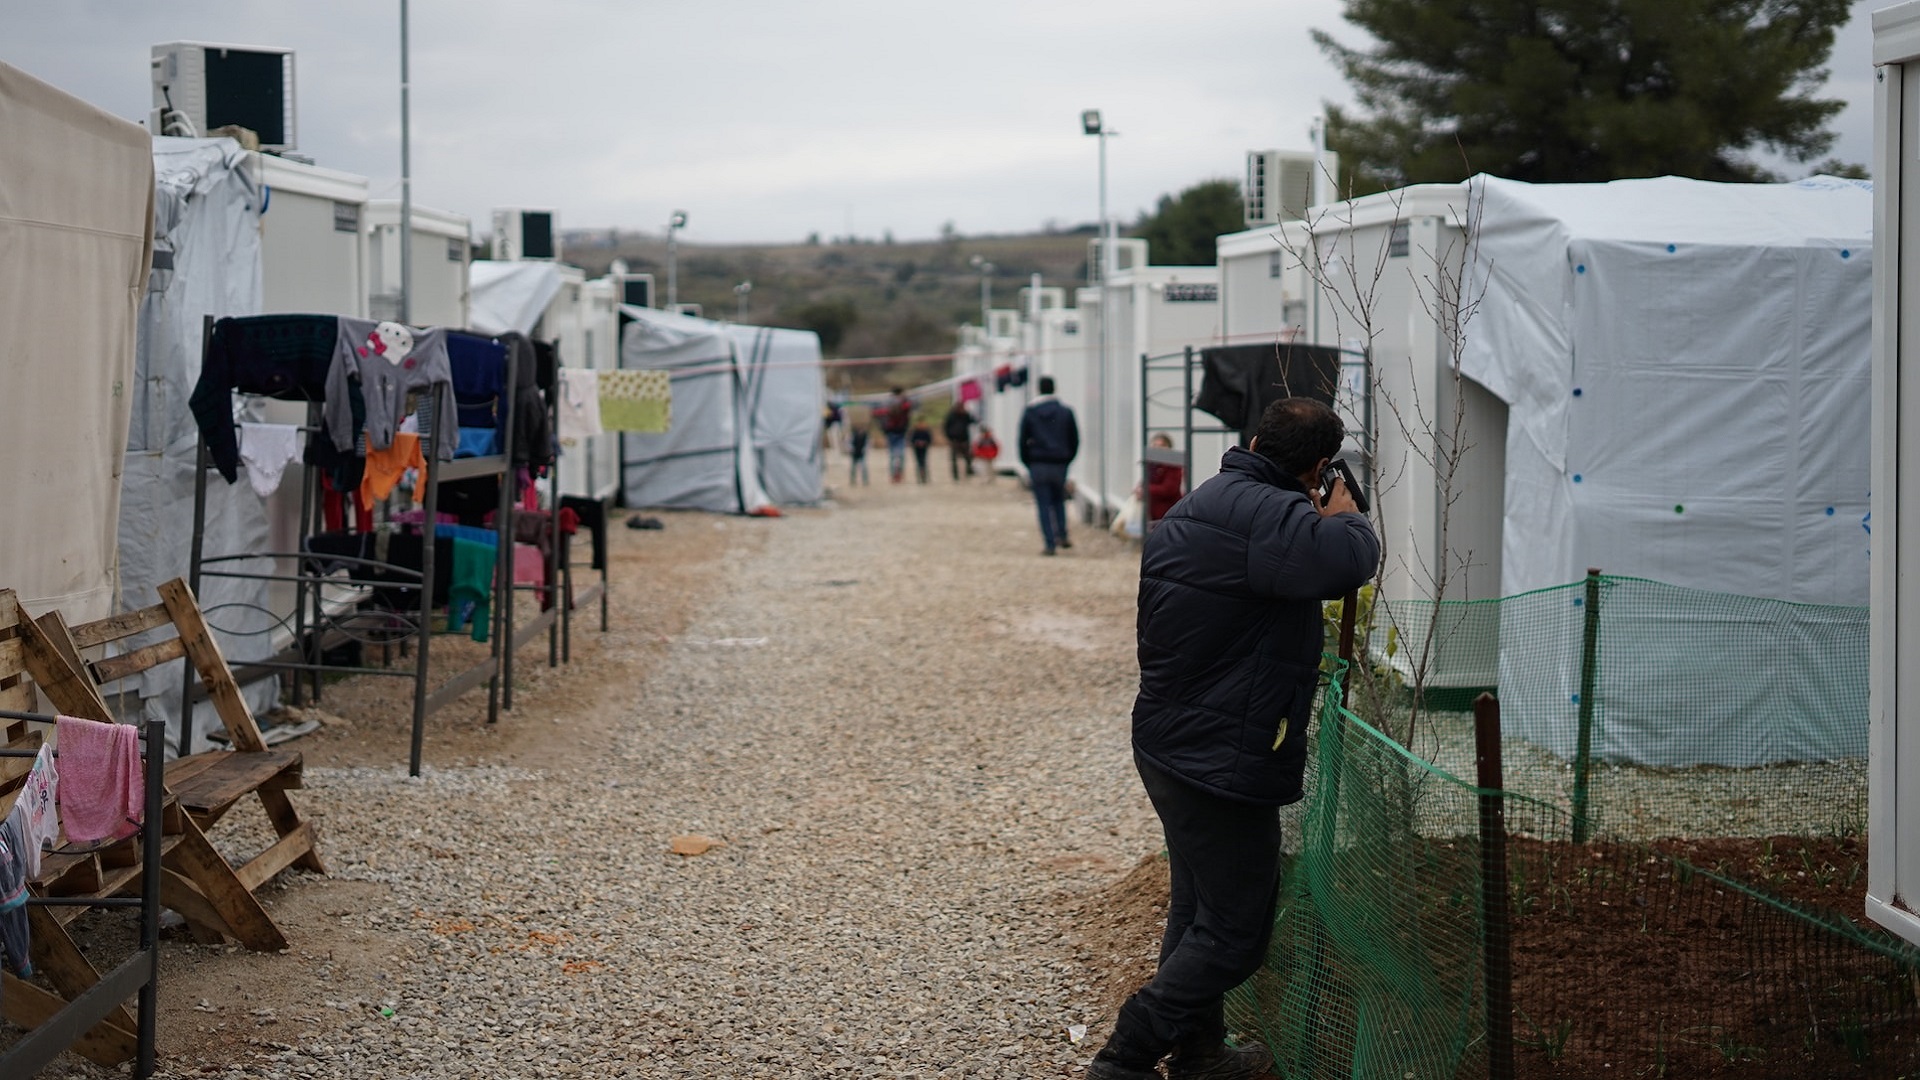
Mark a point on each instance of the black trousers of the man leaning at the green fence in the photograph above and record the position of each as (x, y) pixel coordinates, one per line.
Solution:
(1226, 864)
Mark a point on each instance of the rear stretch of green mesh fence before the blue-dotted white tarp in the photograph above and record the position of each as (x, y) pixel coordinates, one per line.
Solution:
(1644, 708)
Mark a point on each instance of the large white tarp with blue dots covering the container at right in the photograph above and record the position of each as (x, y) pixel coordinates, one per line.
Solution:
(1687, 368)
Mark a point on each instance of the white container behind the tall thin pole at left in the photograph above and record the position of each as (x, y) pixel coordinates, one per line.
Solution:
(443, 253)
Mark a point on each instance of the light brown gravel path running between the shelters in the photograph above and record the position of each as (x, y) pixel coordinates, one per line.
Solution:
(907, 735)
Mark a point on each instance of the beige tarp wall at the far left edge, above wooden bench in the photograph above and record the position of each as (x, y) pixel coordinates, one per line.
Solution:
(76, 243)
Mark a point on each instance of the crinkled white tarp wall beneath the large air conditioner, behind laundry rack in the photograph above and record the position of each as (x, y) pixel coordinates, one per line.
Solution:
(206, 262)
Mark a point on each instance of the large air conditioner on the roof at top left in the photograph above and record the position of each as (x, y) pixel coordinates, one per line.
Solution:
(218, 86)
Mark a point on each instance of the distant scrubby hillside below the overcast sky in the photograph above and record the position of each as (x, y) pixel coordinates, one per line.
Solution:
(865, 299)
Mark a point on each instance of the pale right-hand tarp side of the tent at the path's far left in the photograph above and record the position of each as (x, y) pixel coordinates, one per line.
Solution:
(786, 397)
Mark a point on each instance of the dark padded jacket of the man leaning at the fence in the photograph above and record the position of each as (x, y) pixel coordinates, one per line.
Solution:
(1230, 627)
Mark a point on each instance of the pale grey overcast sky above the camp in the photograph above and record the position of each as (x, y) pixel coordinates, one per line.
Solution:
(769, 120)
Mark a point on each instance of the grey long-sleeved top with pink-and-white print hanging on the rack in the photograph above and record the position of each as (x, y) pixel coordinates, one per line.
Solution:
(391, 362)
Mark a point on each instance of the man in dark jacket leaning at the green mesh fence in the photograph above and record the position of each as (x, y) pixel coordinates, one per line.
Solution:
(1230, 637)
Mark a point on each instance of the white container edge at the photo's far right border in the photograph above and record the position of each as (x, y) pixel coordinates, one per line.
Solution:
(1894, 772)
